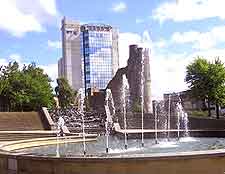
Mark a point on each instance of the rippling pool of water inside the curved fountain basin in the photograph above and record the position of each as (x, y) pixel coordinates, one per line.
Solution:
(116, 147)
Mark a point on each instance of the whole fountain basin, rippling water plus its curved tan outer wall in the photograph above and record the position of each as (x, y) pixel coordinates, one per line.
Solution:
(161, 158)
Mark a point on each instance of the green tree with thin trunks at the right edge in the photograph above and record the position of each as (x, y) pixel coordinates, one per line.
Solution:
(206, 81)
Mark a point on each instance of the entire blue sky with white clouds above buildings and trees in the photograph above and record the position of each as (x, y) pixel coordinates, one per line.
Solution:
(176, 31)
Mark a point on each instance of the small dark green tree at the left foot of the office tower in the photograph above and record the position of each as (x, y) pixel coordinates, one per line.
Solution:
(64, 93)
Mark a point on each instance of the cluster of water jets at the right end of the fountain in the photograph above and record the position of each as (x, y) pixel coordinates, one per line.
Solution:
(170, 116)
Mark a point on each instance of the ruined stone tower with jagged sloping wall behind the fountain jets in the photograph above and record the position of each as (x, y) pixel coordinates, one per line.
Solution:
(138, 68)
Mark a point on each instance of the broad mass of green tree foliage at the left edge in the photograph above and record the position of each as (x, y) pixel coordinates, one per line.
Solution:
(25, 90)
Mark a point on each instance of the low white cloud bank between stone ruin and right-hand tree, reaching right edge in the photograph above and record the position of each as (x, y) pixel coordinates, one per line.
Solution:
(168, 70)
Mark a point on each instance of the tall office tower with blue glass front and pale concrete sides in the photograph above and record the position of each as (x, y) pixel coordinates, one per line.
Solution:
(97, 60)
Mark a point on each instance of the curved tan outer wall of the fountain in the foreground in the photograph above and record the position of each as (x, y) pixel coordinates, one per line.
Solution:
(211, 162)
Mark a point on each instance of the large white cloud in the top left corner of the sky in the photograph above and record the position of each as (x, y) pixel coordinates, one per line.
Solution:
(21, 16)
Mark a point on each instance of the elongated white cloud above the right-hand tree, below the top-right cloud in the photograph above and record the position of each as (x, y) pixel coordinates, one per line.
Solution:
(201, 40)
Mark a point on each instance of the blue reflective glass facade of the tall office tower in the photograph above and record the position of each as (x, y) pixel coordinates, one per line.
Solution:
(96, 49)
